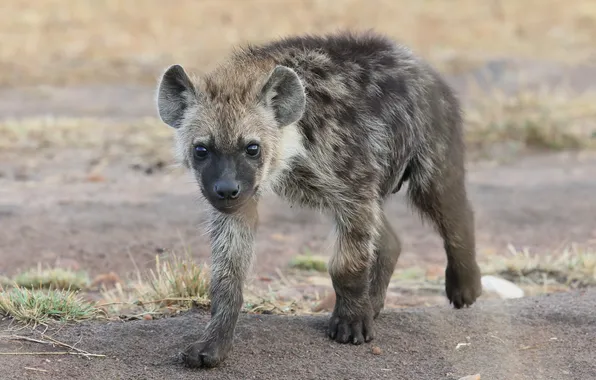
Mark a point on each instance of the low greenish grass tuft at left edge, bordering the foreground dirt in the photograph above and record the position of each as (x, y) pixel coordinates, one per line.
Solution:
(43, 306)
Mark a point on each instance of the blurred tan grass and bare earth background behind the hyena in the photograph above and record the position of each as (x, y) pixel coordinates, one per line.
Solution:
(86, 177)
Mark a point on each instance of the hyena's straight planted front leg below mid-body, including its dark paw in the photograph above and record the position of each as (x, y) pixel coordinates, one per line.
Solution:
(352, 317)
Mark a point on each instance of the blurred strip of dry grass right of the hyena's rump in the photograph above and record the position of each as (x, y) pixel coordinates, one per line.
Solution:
(543, 120)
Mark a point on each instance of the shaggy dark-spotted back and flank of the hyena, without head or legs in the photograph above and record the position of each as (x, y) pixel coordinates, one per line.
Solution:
(374, 113)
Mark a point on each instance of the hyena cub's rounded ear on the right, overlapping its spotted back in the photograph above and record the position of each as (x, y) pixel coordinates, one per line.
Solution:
(284, 94)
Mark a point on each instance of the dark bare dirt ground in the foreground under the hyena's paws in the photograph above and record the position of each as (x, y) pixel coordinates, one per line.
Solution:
(544, 338)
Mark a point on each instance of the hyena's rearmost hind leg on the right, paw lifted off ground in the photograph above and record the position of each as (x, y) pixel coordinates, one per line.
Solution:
(442, 198)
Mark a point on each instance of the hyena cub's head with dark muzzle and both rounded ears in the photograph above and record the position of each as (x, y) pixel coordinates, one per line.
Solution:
(235, 129)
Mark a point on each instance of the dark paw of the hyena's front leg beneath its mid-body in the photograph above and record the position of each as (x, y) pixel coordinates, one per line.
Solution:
(355, 327)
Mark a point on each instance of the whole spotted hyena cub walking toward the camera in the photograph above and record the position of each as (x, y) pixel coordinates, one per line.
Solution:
(337, 123)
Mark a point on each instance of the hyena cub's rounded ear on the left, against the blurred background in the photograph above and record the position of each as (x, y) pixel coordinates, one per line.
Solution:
(175, 93)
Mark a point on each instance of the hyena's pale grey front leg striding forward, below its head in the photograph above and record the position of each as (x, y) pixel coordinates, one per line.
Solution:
(232, 239)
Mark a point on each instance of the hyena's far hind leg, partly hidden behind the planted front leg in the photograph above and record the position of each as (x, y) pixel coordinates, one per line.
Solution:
(386, 254)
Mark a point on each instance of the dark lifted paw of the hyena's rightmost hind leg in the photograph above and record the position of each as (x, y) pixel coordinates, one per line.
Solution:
(462, 284)
